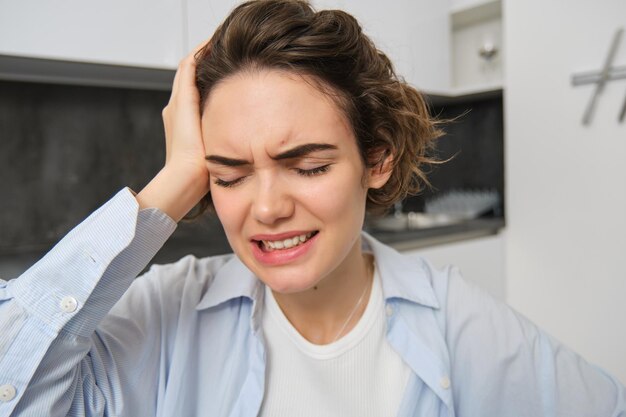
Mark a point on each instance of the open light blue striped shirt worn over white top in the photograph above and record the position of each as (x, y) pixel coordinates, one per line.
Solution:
(80, 337)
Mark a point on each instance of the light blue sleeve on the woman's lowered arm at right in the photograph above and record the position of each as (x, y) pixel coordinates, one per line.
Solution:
(504, 365)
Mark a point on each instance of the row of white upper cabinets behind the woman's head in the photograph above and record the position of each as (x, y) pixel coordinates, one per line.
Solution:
(418, 35)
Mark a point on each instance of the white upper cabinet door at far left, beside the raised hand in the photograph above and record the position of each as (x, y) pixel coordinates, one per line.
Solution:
(135, 33)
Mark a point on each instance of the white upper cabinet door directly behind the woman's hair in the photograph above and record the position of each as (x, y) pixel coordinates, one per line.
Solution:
(415, 34)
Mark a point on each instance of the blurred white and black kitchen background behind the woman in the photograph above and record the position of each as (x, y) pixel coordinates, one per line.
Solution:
(531, 205)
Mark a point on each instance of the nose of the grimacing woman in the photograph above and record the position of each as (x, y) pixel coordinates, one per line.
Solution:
(272, 201)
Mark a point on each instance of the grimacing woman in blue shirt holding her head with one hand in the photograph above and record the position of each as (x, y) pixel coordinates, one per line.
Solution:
(294, 124)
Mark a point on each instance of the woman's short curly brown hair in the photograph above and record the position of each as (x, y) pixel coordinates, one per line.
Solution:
(387, 115)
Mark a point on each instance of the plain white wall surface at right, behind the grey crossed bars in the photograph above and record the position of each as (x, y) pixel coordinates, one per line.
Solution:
(566, 199)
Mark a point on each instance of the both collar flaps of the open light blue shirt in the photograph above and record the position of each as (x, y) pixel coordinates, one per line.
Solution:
(402, 277)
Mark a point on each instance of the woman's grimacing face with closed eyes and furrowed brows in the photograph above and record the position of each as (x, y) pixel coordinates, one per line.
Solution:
(286, 178)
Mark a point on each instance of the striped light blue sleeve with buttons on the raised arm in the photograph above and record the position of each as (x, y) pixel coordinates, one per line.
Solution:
(48, 349)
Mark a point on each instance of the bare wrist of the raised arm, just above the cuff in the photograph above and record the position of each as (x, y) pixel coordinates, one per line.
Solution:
(174, 192)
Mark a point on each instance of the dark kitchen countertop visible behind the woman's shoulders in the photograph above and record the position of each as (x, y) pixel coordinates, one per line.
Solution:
(214, 242)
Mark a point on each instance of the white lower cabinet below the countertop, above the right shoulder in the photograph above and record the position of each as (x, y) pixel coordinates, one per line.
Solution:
(480, 261)
